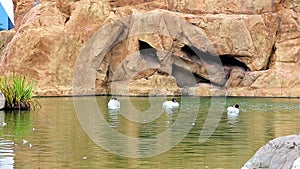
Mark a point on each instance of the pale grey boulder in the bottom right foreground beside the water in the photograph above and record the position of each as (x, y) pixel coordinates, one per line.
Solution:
(280, 153)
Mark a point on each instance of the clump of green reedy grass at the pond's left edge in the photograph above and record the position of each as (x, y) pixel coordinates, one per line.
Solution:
(17, 91)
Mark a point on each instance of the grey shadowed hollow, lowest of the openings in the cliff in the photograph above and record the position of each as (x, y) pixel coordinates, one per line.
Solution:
(186, 78)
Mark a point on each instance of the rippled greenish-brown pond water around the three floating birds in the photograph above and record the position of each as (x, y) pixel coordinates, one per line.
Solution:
(57, 140)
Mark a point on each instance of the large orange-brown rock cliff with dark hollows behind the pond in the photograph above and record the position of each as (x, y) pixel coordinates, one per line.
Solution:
(135, 47)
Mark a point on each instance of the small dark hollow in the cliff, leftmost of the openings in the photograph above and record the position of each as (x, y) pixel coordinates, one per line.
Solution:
(148, 53)
